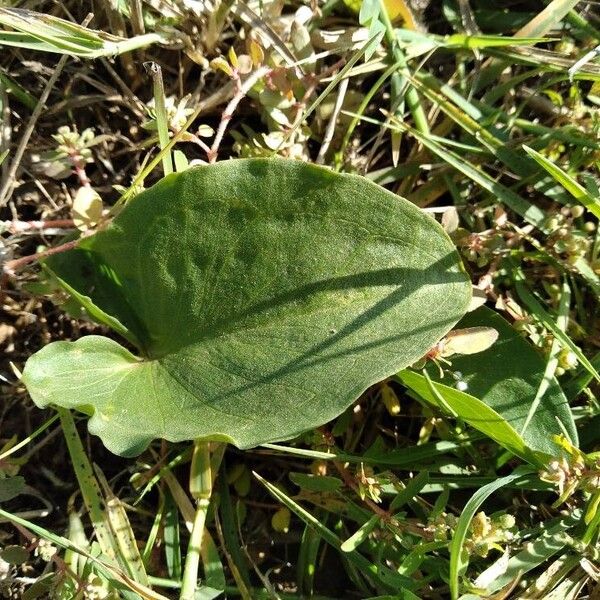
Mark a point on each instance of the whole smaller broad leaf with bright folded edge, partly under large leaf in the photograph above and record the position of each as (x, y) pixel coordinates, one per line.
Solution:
(502, 382)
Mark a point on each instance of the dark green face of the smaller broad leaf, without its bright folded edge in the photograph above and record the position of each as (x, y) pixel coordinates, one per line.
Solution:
(507, 377)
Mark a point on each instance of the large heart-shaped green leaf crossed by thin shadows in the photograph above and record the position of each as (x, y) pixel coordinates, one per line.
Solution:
(264, 297)
